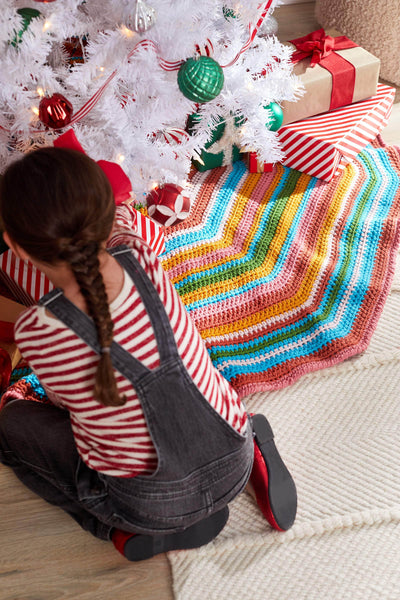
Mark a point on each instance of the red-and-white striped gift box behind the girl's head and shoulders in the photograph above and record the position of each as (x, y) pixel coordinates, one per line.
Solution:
(27, 284)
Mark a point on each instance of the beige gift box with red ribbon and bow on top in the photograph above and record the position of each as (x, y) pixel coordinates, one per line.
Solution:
(317, 80)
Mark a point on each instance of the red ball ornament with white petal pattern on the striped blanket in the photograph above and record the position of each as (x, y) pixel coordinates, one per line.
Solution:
(167, 204)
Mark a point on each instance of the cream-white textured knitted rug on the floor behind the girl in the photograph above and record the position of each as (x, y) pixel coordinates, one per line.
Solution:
(338, 430)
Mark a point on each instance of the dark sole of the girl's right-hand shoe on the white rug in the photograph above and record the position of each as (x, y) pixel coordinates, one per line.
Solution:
(282, 494)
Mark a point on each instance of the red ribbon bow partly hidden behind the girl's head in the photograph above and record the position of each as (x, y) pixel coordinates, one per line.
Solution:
(119, 181)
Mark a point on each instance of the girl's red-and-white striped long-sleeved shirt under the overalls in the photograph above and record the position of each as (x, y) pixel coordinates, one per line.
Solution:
(115, 440)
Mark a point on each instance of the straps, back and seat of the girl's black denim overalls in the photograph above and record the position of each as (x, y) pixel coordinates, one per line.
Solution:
(203, 463)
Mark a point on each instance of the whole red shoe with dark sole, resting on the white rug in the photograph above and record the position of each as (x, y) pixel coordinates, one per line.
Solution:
(273, 485)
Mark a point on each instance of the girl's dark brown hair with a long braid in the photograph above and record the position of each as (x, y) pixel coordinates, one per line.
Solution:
(58, 206)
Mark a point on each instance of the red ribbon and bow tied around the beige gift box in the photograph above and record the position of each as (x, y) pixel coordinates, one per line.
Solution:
(322, 50)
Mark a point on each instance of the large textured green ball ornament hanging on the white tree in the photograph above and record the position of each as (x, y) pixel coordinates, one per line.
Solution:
(200, 79)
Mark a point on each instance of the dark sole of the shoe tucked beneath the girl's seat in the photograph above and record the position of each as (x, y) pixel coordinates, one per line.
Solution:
(141, 547)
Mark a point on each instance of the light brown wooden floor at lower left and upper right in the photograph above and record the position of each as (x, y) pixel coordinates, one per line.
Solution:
(43, 554)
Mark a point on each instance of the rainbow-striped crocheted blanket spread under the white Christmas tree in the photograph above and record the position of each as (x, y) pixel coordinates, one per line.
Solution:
(283, 273)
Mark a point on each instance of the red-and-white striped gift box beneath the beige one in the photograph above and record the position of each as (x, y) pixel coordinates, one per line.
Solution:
(322, 145)
